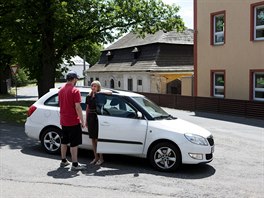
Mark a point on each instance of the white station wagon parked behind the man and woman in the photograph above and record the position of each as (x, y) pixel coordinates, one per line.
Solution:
(129, 124)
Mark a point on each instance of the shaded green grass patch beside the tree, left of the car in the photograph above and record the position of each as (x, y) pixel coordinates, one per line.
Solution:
(14, 112)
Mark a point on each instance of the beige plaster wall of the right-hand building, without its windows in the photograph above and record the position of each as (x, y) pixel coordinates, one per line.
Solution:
(237, 56)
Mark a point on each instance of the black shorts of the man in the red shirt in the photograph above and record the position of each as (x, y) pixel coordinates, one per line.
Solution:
(72, 135)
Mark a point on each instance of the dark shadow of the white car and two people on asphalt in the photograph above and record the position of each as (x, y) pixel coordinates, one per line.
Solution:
(118, 165)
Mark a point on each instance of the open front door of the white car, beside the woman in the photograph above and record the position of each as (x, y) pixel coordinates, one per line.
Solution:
(121, 130)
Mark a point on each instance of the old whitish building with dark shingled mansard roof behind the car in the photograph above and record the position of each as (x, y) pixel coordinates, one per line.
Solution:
(154, 64)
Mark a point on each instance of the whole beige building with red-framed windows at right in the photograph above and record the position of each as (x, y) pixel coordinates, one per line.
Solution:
(229, 49)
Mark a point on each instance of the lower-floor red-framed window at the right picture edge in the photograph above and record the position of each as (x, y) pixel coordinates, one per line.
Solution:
(258, 86)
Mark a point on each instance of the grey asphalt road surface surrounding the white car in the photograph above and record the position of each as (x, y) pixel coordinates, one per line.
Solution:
(236, 171)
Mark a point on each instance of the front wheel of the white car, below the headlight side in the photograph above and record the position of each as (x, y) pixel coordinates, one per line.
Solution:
(165, 157)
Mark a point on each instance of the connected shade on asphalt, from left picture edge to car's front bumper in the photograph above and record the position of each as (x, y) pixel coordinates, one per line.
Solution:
(13, 137)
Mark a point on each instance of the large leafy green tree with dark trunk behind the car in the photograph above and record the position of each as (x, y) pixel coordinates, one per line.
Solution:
(40, 33)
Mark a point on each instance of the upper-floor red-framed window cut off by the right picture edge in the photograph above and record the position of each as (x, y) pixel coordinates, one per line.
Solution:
(257, 21)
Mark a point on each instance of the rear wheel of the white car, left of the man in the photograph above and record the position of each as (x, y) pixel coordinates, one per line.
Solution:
(51, 140)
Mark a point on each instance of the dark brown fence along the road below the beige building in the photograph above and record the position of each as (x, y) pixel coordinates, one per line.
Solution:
(243, 108)
